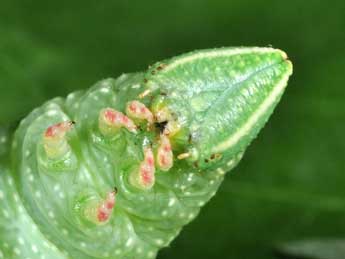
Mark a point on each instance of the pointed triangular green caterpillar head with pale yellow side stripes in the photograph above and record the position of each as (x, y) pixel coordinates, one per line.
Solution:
(214, 103)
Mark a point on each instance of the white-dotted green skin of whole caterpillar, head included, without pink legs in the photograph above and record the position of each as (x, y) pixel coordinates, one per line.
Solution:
(221, 98)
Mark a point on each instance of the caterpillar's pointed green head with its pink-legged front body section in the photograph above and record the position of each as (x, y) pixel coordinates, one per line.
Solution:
(146, 152)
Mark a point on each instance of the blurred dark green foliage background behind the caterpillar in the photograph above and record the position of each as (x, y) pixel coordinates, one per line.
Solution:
(290, 184)
